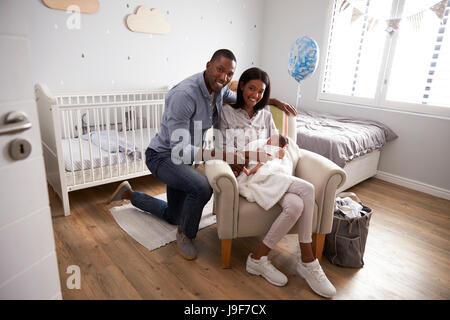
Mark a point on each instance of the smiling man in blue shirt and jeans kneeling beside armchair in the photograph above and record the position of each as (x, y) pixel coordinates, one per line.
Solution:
(191, 107)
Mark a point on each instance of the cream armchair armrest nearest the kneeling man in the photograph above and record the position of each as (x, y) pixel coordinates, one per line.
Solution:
(226, 197)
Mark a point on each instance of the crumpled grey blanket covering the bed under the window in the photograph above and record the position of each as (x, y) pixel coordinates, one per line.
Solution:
(340, 138)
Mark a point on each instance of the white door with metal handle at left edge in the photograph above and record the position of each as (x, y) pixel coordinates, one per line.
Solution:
(28, 265)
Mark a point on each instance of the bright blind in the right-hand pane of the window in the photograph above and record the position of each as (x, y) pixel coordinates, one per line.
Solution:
(421, 63)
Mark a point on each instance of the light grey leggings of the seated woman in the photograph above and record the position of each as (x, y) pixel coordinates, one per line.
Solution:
(297, 204)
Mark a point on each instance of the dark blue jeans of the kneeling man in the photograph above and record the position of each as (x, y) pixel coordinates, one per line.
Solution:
(188, 191)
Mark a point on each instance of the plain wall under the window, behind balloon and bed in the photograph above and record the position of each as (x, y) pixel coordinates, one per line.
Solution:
(419, 158)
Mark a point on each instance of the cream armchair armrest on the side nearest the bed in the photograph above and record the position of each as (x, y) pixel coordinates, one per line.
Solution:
(327, 177)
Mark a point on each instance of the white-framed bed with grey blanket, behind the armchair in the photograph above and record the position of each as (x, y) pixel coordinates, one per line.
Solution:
(353, 144)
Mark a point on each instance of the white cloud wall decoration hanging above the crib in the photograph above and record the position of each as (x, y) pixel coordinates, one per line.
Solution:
(148, 20)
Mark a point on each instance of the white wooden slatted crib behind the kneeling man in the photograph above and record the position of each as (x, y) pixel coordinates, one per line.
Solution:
(94, 139)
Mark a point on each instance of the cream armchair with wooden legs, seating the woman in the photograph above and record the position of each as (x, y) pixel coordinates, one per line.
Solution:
(236, 217)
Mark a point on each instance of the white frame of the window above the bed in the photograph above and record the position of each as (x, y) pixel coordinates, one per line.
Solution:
(379, 101)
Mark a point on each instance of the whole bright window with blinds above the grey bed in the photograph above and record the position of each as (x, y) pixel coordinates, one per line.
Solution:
(389, 53)
